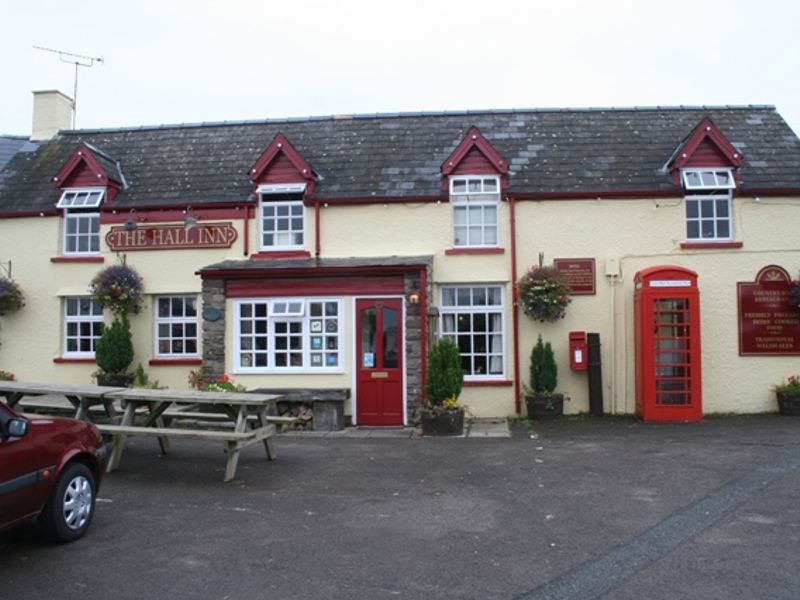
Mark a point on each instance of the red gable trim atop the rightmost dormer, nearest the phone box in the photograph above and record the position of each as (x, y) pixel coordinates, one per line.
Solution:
(705, 147)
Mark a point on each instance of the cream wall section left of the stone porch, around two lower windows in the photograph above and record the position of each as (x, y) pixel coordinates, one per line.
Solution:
(33, 337)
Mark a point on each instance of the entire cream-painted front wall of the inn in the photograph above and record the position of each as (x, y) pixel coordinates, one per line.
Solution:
(637, 233)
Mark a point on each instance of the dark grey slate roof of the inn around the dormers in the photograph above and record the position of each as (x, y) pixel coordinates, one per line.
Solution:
(550, 151)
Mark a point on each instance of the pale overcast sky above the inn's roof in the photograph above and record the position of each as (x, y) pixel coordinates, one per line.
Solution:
(181, 61)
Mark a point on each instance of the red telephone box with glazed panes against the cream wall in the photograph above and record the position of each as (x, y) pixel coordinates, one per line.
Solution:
(667, 333)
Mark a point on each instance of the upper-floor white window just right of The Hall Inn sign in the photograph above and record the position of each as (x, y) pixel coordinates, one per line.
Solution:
(282, 216)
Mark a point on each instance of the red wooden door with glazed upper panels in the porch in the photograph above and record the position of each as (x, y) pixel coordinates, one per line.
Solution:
(379, 357)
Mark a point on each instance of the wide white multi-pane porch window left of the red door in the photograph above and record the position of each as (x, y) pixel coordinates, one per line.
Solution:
(274, 334)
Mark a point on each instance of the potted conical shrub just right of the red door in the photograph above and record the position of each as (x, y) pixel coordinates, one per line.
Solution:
(443, 415)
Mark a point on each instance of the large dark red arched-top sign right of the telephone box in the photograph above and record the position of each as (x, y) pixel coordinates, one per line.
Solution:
(768, 324)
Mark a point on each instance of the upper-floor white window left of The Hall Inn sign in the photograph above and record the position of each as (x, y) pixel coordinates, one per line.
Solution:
(81, 219)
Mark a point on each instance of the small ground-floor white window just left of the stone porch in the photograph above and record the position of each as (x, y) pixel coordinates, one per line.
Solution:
(176, 326)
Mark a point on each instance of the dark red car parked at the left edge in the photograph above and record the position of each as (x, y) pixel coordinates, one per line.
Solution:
(50, 469)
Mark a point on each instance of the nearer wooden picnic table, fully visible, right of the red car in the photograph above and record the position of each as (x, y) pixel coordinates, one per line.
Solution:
(248, 412)
